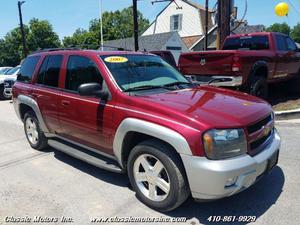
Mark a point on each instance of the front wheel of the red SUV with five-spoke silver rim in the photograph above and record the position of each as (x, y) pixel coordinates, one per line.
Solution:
(172, 172)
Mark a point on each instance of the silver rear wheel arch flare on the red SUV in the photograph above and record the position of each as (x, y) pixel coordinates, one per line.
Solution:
(22, 99)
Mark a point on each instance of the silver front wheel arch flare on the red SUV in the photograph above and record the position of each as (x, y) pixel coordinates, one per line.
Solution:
(133, 131)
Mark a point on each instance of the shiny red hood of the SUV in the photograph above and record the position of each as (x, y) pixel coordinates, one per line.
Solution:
(210, 107)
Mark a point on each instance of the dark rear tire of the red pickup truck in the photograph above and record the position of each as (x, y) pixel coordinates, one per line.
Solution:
(259, 87)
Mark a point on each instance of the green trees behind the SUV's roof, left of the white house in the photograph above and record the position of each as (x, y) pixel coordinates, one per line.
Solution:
(116, 25)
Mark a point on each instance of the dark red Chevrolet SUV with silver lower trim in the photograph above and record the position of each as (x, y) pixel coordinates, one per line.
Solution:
(133, 113)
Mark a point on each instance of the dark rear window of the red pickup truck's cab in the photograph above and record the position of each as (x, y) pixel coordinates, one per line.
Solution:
(247, 43)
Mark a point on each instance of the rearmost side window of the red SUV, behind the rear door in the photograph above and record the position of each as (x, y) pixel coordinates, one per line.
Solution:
(27, 68)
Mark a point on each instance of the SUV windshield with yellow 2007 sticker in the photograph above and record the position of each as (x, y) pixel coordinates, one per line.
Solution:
(141, 72)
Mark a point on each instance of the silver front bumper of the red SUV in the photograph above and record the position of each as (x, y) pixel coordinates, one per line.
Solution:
(208, 179)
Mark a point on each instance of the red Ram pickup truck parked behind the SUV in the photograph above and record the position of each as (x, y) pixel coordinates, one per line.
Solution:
(248, 62)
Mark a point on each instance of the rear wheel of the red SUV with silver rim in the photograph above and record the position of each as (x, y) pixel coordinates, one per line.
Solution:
(35, 136)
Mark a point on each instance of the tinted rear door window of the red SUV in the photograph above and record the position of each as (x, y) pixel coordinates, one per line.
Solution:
(49, 72)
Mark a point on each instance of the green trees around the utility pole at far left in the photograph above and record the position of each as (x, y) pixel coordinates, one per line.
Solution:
(39, 35)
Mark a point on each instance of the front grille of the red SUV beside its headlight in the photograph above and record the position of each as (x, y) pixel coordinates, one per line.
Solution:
(260, 134)
